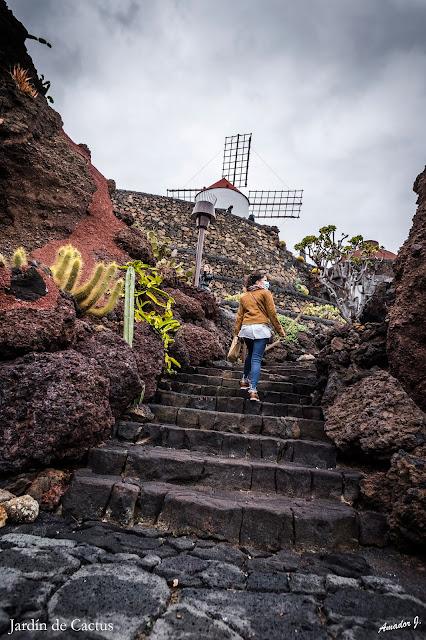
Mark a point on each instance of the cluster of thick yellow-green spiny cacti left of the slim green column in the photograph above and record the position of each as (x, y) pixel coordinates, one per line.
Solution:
(67, 271)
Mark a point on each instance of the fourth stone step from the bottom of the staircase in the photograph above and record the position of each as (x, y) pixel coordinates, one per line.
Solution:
(287, 427)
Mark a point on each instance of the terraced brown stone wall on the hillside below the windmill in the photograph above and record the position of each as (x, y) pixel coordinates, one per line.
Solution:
(234, 246)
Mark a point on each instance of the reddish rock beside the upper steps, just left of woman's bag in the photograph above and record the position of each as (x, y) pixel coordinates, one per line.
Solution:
(195, 346)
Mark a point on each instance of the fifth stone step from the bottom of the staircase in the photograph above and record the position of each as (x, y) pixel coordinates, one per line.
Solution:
(237, 405)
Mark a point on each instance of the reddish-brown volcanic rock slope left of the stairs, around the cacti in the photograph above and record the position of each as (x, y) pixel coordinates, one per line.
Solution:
(65, 378)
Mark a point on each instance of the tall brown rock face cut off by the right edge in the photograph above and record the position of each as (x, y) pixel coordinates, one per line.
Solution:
(406, 343)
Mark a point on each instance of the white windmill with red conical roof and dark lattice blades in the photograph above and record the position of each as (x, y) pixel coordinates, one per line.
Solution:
(259, 203)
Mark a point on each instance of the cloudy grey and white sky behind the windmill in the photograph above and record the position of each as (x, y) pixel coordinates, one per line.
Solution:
(334, 92)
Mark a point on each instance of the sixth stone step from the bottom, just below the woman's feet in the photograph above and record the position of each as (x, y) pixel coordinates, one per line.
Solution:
(228, 392)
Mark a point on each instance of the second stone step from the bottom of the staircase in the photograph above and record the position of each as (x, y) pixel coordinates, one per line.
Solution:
(182, 466)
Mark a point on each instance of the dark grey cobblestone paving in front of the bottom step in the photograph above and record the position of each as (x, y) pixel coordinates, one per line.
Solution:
(139, 583)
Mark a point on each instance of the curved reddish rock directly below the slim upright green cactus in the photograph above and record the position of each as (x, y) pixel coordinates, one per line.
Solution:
(115, 358)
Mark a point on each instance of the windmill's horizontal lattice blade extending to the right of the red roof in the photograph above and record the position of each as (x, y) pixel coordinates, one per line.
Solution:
(276, 204)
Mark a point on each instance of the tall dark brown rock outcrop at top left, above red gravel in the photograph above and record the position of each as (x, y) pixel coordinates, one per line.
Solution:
(46, 186)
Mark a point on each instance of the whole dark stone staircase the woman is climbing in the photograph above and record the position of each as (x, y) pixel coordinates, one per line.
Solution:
(216, 465)
